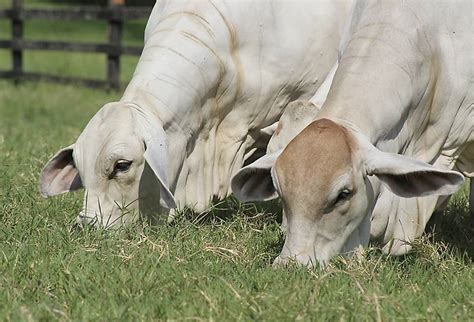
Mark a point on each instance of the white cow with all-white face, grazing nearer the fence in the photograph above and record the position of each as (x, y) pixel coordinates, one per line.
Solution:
(211, 75)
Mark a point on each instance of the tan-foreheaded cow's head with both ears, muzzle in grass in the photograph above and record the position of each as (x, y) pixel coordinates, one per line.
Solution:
(324, 179)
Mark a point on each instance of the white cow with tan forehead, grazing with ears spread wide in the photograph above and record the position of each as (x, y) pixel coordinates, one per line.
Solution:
(398, 119)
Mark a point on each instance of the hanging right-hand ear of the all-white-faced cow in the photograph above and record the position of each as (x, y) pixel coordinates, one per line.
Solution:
(156, 155)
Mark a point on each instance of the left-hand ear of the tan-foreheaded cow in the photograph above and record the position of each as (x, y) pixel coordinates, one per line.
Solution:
(257, 181)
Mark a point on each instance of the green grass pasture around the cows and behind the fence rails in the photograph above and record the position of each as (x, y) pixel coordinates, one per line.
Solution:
(215, 267)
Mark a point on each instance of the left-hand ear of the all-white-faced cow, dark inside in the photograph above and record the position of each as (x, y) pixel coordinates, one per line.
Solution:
(60, 175)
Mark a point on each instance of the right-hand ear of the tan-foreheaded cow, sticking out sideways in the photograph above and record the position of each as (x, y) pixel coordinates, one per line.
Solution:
(407, 177)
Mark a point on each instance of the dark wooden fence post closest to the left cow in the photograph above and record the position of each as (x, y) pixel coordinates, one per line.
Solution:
(115, 37)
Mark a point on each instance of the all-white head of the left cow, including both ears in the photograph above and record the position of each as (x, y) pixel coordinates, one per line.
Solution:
(121, 160)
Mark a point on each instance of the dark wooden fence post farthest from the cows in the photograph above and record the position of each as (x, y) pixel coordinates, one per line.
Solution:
(17, 35)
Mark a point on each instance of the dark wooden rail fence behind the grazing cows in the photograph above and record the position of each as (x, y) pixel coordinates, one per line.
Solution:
(115, 15)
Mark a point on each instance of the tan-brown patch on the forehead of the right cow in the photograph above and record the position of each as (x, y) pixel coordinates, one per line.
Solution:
(310, 165)
